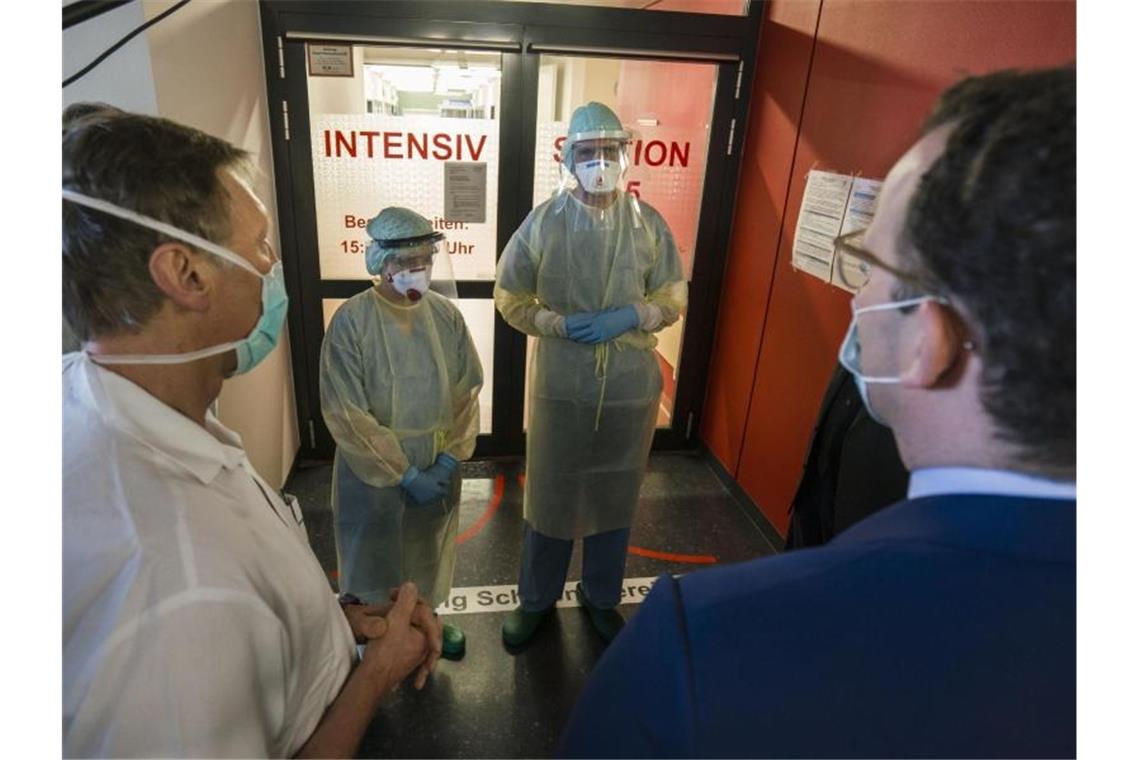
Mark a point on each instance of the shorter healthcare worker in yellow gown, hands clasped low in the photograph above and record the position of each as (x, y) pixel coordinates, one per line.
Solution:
(400, 393)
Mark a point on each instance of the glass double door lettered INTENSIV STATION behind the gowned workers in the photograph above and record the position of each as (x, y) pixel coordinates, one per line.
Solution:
(470, 137)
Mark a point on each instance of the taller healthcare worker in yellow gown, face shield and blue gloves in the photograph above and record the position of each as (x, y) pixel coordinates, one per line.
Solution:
(593, 274)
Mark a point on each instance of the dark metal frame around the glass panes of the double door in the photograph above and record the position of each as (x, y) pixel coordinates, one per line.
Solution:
(522, 31)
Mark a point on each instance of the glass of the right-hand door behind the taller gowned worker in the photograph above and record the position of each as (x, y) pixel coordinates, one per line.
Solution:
(669, 153)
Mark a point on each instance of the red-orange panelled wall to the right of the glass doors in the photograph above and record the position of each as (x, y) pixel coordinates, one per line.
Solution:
(842, 86)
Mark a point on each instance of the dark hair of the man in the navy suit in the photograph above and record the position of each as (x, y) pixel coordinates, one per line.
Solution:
(994, 225)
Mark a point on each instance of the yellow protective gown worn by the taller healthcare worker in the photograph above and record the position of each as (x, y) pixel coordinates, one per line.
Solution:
(593, 410)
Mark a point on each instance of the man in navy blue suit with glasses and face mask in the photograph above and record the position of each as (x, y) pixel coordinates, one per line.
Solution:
(944, 626)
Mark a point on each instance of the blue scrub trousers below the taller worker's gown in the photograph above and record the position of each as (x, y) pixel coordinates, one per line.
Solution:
(545, 562)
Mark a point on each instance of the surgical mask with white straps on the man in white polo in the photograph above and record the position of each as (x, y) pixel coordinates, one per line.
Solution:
(254, 348)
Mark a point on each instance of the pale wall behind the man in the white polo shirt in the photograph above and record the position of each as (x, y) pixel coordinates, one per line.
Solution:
(202, 67)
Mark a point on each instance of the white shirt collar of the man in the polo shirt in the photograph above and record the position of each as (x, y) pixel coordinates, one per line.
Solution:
(129, 408)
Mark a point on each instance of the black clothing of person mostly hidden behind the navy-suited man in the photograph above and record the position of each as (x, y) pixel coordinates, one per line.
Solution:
(852, 469)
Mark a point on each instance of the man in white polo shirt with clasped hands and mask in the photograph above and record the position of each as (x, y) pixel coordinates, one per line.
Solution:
(198, 622)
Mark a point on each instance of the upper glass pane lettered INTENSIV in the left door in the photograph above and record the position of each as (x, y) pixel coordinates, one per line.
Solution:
(411, 128)
